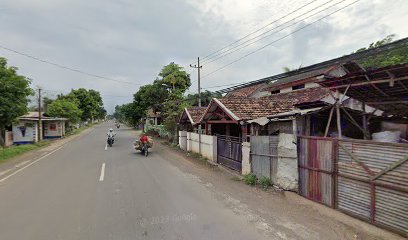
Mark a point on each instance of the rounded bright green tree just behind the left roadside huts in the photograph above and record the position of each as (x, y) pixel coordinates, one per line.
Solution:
(65, 108)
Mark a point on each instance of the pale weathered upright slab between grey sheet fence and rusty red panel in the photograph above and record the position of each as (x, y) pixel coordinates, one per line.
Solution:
(287, 173)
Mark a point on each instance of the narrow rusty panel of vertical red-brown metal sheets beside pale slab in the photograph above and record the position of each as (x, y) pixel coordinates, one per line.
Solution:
(316, 169)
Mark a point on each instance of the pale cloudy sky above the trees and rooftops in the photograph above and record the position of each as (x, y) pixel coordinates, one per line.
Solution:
(131, 40)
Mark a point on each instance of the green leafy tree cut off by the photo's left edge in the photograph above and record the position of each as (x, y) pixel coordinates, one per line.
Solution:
(14, 92)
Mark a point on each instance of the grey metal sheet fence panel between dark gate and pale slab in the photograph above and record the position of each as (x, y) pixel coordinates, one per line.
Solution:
(264, 156)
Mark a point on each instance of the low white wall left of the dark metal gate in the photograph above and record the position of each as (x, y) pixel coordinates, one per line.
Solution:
(208, 145)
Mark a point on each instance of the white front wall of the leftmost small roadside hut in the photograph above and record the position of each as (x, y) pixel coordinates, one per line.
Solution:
(25, 132)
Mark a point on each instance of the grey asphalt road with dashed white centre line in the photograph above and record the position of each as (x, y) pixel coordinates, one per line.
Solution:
(67, 195)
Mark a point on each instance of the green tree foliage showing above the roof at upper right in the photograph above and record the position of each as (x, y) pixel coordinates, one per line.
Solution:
(390, 57)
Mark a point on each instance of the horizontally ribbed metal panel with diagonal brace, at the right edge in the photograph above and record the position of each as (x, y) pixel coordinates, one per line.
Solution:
(383, 201)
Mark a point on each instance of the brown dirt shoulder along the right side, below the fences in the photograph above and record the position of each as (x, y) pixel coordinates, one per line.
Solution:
(281, 214)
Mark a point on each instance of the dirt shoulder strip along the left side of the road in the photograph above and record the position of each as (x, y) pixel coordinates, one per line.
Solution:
(13, 164)
